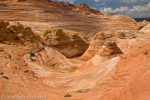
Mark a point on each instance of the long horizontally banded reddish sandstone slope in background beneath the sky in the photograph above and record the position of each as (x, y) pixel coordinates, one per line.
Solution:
(46, 13)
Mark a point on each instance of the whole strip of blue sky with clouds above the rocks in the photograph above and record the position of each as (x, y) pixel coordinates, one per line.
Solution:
(131, 8)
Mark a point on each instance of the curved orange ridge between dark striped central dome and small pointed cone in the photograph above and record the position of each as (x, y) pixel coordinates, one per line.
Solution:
(98, 41)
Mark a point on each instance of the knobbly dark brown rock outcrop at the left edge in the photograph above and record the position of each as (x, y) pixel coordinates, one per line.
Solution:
(16, 33)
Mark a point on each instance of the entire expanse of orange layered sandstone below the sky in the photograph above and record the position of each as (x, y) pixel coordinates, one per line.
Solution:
(116, 65)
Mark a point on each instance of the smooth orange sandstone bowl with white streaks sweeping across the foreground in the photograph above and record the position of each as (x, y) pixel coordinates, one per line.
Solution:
(119, 78)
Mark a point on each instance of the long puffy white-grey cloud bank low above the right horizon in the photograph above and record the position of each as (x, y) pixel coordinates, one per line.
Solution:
(135, 11)
